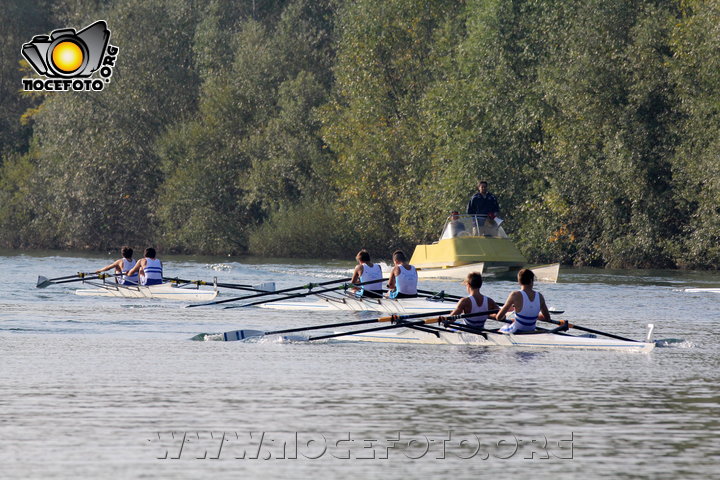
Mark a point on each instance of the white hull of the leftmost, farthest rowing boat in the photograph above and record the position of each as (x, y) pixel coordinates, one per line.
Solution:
(169, 291)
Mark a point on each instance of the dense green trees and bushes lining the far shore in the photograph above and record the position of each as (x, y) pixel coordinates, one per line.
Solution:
(312, 128)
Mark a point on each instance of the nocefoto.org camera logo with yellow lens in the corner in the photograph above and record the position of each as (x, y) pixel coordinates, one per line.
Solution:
(68, 59)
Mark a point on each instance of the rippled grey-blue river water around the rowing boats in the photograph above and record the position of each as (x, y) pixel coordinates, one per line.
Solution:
(114, 388)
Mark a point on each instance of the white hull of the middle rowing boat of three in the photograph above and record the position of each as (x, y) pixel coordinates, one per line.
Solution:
(353, 304)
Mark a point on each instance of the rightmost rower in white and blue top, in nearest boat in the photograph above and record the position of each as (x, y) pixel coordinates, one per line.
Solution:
(529, 305)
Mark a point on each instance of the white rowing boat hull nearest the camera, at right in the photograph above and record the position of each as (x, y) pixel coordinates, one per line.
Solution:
(534, 340)
